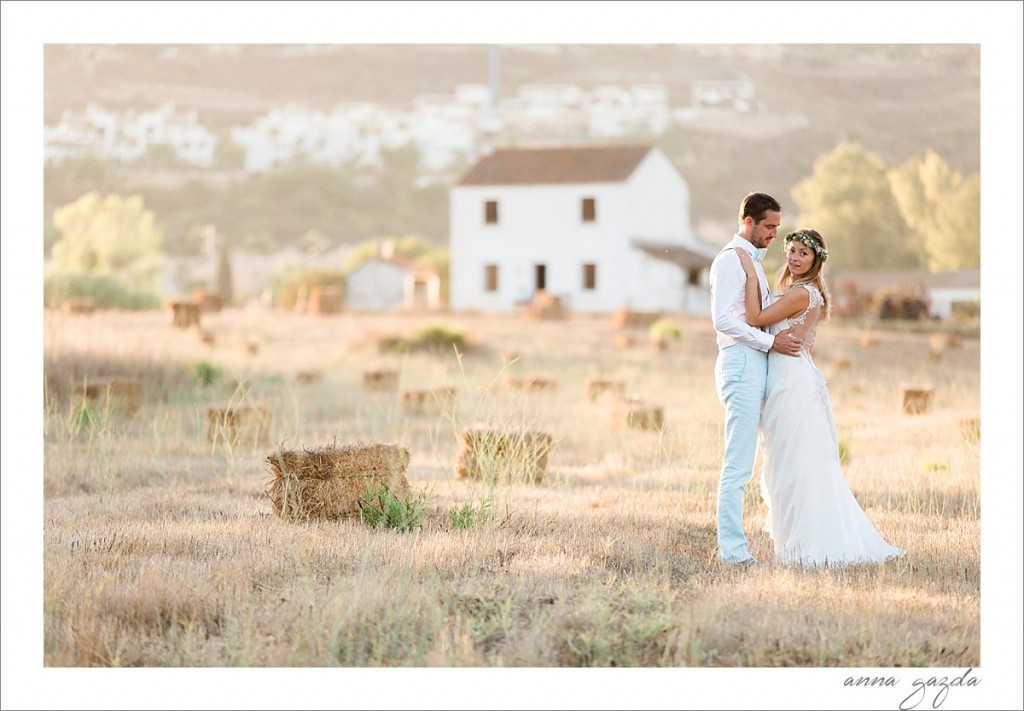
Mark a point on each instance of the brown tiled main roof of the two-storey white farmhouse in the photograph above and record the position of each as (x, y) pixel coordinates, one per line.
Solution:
(563, 165)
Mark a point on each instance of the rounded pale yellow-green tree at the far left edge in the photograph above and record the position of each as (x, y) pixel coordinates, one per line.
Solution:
(111, 235)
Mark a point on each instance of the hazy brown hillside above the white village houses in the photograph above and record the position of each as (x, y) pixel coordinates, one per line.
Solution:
(897, 101)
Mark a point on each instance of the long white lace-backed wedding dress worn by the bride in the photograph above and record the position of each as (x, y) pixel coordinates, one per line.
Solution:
(814, 518)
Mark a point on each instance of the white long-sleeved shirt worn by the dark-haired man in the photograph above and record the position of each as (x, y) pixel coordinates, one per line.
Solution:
(729, 299)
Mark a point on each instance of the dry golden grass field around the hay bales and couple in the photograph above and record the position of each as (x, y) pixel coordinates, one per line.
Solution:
(162, 548)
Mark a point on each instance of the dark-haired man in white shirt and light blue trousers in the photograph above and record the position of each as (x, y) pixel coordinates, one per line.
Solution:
(742, 368)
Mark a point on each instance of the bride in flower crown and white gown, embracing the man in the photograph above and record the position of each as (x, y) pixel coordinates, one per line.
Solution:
(814, 518)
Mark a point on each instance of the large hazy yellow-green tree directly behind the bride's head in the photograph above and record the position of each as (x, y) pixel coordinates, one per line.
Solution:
(848, 199)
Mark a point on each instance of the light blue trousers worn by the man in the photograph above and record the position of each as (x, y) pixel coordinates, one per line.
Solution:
(741, 375)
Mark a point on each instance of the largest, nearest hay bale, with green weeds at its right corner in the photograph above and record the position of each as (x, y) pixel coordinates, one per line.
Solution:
(329, 483)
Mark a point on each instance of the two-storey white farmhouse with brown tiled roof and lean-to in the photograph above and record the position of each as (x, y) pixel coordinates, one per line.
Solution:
(602, 228)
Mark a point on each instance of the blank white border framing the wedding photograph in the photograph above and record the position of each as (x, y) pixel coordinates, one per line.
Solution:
(28, 26)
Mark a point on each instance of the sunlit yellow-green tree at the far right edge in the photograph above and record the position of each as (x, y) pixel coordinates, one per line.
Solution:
(943, 208)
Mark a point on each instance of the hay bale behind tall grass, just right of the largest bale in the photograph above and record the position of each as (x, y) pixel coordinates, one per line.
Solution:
(503, 456)
